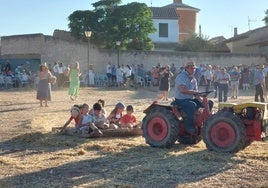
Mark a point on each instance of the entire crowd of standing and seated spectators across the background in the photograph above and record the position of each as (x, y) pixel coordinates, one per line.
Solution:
(226, 81)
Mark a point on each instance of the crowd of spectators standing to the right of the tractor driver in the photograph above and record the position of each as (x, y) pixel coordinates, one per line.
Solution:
(227, 81)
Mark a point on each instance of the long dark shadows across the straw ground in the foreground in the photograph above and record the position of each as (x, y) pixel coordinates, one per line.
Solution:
(137, 166)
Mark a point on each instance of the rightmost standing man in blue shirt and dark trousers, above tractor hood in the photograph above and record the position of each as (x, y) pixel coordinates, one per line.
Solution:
(259, 83)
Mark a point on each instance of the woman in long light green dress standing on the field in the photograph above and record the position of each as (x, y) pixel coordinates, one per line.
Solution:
(74, 81)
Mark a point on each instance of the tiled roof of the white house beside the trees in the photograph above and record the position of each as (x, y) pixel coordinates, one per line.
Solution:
(164, 13)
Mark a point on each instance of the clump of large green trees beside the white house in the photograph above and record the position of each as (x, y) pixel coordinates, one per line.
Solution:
(130, 24)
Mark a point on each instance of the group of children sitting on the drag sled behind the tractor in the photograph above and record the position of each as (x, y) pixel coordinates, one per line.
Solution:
(94, 121)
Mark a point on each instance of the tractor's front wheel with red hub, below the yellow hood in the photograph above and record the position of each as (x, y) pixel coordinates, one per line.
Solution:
(224, 132)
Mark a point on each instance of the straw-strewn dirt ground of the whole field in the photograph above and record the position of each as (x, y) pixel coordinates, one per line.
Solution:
(31, 155)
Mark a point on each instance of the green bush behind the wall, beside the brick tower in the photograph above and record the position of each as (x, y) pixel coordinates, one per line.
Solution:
(197, 43)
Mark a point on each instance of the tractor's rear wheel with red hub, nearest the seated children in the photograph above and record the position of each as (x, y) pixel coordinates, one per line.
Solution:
(160, 127)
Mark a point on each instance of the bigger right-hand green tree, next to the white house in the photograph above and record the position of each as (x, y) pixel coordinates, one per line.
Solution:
(131, 24)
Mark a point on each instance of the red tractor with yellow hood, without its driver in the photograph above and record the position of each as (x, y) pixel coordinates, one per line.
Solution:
(228, 130)
